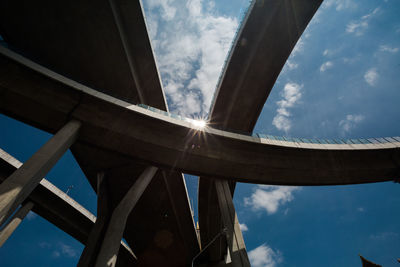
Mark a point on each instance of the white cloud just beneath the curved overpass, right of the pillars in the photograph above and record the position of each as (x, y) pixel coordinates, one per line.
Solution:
(270, 197)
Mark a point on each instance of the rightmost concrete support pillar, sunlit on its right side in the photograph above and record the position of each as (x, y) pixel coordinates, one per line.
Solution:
(237, 248)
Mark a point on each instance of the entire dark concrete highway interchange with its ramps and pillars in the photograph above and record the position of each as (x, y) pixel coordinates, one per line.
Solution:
(90, 84)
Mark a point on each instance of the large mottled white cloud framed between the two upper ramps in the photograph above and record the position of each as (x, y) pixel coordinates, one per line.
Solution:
(190, 43)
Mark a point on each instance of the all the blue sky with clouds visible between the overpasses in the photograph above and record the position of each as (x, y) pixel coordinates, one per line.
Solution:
(341, 81)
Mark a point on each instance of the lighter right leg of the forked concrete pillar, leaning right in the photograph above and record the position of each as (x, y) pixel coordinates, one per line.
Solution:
(116, 227)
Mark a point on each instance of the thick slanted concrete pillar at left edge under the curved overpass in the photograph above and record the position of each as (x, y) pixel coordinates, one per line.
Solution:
(16, 188)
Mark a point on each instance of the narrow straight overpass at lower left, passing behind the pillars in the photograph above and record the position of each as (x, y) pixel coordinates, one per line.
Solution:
(61, 210)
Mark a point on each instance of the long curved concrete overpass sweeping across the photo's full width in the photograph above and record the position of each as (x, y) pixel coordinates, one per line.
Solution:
(136, 134)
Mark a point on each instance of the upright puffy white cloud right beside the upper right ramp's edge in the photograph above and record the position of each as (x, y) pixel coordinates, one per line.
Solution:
(291, 95)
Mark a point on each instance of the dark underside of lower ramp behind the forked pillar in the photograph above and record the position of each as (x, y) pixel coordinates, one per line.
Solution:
(161, 217)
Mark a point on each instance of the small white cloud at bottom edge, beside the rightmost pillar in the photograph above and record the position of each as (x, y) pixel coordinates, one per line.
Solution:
(264, 256)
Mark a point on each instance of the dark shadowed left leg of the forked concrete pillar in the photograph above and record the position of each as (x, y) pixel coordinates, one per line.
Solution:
(93, 244)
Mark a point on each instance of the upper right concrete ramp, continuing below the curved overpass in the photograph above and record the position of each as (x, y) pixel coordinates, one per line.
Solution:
(265, 40)
